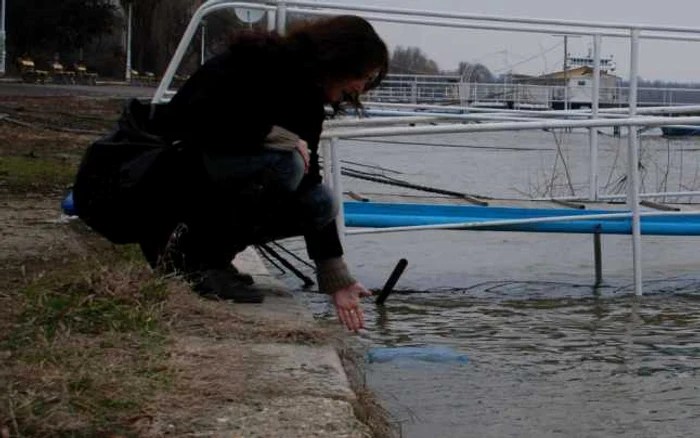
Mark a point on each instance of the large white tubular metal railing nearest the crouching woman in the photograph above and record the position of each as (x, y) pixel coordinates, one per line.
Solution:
(631, 118)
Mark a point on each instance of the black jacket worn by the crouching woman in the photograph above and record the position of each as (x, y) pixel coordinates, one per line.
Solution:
(231, 103)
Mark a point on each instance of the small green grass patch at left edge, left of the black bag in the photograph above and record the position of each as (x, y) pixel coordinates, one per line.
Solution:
(20, 173)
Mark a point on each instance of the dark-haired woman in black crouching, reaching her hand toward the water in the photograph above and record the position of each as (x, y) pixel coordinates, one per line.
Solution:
(250, 120)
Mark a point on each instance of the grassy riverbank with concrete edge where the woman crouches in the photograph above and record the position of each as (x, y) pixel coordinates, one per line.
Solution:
(93, 344)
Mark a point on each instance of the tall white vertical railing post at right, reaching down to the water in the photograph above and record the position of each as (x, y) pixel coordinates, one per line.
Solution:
(633, 169)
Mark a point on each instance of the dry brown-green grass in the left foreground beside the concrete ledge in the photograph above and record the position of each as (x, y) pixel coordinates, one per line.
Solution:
(87, 349)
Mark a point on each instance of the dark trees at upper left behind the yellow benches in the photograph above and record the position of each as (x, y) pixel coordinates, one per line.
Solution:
(94, 31)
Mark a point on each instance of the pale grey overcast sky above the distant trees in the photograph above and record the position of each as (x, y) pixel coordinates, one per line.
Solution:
(531, 53)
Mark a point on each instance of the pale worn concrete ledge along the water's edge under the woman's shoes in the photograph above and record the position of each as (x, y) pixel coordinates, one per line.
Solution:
(291, 389)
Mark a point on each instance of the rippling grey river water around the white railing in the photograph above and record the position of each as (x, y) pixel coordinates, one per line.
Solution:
(550, 355)
